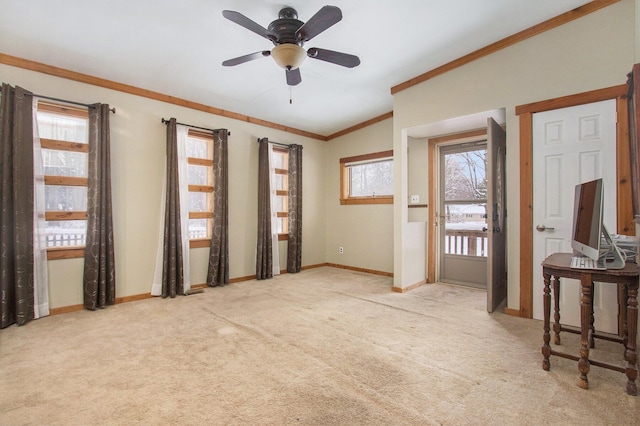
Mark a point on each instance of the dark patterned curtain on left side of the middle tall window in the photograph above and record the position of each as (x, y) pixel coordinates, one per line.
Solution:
(172, 263)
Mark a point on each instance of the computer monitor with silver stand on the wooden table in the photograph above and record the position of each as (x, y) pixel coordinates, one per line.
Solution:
(590, 237)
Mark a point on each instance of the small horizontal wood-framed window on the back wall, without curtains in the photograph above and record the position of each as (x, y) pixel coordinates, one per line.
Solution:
(367, 179)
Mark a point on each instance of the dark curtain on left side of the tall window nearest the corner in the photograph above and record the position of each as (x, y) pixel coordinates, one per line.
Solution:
(264, 256)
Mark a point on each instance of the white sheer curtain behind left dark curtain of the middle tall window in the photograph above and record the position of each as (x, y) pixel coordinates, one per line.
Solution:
(183, 167)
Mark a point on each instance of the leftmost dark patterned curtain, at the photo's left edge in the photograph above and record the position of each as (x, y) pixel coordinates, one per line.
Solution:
(16, 207)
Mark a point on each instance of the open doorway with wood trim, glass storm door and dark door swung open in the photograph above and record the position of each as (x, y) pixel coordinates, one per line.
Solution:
(467, 231)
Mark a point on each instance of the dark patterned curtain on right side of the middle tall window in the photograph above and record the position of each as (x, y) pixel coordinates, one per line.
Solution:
(218, 272)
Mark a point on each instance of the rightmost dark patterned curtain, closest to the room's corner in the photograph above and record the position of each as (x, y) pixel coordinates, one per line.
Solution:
(294, 246)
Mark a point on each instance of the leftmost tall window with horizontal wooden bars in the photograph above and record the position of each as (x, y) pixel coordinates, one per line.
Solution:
(63, 132)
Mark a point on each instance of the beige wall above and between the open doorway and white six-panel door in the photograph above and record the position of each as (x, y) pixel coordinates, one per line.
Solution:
(590, 53)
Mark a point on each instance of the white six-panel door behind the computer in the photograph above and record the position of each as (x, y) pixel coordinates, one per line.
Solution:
(570, 146)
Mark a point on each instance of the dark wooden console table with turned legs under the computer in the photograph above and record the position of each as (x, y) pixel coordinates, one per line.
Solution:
(557, 266)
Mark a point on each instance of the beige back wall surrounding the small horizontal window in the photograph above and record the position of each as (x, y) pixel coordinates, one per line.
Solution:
(365, 231)
